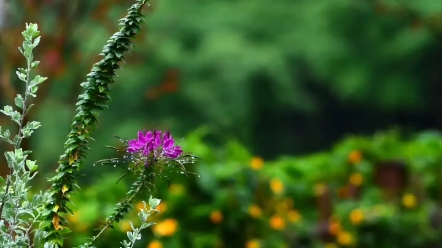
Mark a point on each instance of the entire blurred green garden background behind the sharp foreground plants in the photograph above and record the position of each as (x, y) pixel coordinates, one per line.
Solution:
(283, 100)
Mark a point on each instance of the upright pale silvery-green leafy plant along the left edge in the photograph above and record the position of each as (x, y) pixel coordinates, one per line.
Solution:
(18, 214)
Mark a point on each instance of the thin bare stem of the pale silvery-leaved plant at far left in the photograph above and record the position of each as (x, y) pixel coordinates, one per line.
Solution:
(19, 135)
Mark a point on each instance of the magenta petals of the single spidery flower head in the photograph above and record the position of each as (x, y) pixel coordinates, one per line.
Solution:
(155, 144)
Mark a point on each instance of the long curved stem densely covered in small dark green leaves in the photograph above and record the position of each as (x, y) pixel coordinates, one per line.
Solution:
(94, 99)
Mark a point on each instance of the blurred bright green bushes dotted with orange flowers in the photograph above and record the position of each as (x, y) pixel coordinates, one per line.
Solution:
(380, 191)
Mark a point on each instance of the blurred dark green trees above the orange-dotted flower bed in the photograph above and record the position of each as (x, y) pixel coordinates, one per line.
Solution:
(299, 73)
